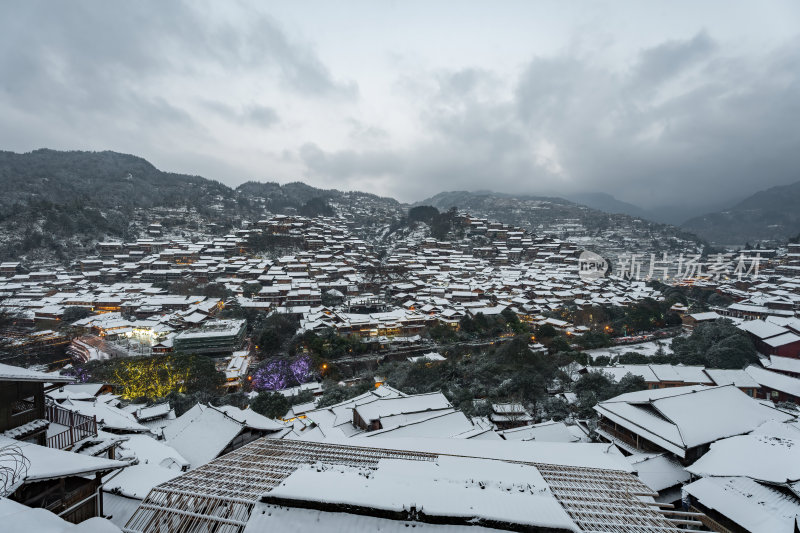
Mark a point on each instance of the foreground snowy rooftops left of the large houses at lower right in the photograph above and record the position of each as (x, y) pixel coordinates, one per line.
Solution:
(425, 466)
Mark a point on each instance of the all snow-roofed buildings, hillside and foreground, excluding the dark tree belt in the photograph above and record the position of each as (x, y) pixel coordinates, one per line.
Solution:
(700, 449)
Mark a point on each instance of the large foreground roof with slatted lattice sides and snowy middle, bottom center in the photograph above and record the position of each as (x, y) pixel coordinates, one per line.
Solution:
(416, 479)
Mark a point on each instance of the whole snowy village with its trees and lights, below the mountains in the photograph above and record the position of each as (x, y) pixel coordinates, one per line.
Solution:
(310, 368)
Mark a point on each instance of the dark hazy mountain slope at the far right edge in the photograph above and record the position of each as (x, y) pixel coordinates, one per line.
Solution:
(772, 214)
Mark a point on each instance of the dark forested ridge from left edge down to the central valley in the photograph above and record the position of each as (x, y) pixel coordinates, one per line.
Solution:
(57, 204)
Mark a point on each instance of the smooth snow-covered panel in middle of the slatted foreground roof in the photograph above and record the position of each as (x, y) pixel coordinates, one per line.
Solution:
(482, 491)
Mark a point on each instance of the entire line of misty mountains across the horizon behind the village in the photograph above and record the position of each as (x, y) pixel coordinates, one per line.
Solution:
(51, 197)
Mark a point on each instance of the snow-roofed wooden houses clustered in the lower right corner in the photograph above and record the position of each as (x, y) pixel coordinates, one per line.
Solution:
(723, 453)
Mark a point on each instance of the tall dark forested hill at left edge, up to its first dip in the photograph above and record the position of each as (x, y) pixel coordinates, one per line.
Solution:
(56, 201)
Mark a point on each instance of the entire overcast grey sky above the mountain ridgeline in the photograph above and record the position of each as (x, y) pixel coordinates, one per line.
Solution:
(653, 102)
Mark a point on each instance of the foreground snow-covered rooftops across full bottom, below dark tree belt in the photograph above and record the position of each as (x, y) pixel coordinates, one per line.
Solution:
(673, 460)
